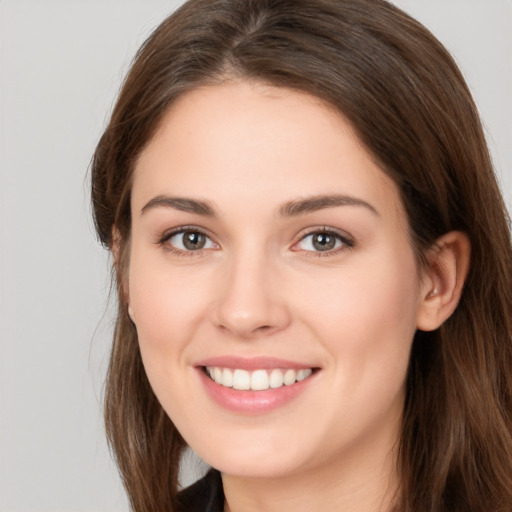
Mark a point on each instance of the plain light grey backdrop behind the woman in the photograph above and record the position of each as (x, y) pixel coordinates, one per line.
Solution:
(61, 66)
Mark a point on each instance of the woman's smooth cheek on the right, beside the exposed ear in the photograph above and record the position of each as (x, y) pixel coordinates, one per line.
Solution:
(366, 316)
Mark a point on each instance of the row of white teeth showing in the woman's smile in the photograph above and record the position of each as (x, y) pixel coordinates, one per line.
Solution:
(257, 380)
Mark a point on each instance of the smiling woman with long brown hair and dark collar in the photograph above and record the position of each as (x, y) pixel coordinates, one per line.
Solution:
(313, 266)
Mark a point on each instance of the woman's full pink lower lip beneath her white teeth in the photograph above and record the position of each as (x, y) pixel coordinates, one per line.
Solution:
(253, 402)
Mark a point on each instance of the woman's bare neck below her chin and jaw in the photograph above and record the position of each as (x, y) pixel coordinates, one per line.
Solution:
(358, 484)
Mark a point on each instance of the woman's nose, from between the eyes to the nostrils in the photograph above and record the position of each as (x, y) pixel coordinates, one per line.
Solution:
(251, 300)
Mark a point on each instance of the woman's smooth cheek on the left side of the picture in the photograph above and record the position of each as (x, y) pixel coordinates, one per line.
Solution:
(169, 306)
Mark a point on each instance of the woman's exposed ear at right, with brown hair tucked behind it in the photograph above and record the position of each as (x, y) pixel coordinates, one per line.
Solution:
(448, 265)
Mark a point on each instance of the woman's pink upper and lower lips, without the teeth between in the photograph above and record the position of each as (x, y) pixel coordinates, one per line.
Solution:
(252, 402)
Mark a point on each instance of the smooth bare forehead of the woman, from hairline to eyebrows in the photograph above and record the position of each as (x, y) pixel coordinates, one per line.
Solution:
(252, 142)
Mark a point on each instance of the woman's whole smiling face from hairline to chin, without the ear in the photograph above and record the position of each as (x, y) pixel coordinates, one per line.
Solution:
(272, 282)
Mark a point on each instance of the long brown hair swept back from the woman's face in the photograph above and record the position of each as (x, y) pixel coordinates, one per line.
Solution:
(410, 106)
